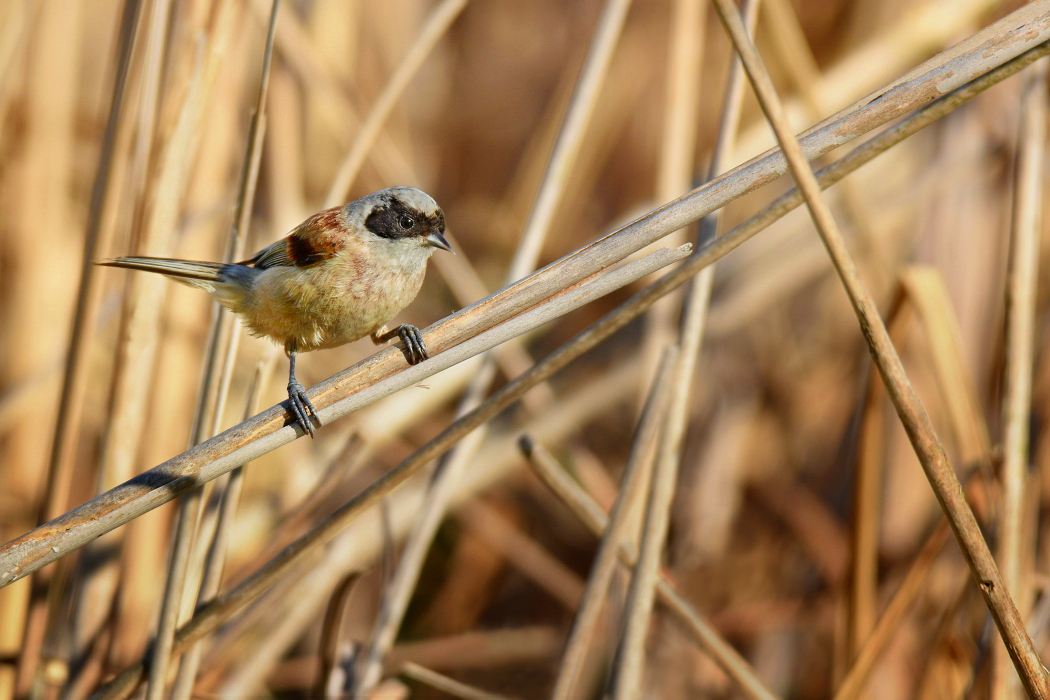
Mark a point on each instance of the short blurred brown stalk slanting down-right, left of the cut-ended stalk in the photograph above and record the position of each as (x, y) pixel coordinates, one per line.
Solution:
(524, 554)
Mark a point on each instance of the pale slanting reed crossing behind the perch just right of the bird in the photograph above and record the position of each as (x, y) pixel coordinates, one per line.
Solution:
(448, 474)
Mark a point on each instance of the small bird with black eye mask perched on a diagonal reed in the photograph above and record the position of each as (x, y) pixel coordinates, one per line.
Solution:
(339, 277)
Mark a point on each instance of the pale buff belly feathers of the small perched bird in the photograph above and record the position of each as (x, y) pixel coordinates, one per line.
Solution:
(319, 308)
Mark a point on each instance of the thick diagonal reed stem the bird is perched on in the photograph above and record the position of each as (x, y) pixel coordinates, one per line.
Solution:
(267, 432)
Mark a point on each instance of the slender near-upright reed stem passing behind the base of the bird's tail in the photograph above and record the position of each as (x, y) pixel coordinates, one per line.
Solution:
(190, 508)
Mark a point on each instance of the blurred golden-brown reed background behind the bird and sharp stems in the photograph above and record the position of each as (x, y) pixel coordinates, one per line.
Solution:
(764, 525)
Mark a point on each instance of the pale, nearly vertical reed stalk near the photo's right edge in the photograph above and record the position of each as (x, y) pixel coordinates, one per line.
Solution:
(1025, 237)
